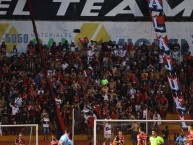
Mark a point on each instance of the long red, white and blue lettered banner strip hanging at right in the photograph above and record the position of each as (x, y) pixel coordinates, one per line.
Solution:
(158, 20)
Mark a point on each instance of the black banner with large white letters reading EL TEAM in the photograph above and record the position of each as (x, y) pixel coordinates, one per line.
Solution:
(96, 10)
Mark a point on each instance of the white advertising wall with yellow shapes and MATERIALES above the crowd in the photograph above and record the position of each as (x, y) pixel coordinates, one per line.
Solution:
(19, 33)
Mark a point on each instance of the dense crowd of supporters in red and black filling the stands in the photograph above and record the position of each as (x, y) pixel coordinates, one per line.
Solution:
(101, 80)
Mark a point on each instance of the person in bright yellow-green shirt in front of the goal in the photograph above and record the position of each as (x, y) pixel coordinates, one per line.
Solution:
(156, 140)
